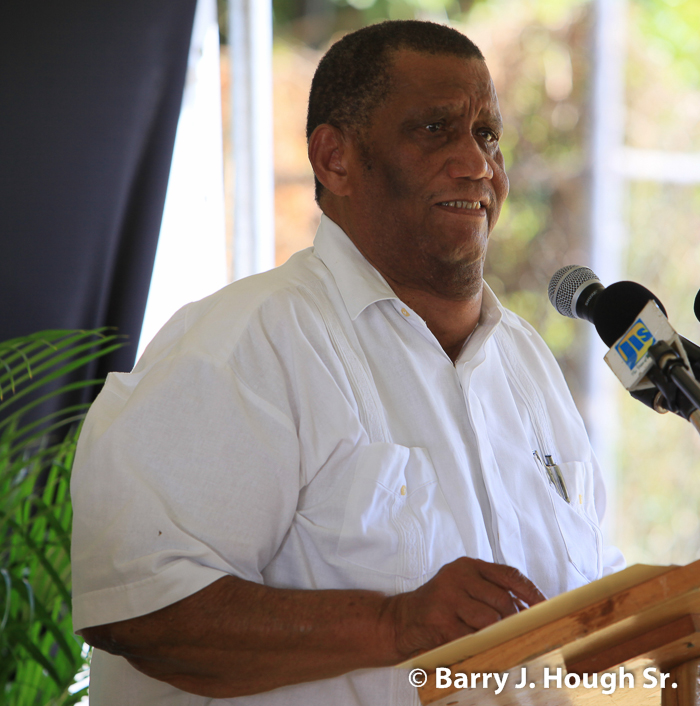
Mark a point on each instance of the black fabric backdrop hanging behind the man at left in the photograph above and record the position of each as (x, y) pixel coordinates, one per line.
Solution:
(90, 94)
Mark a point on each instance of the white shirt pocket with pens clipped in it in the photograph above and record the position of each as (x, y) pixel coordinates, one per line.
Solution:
(577, 519)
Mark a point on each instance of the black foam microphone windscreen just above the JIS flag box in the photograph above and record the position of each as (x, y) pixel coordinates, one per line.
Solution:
(618, 306)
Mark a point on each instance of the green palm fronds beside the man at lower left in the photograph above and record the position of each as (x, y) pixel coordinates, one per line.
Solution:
(39, 654)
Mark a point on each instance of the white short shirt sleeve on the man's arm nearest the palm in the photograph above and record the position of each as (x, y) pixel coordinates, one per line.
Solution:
(183, 475)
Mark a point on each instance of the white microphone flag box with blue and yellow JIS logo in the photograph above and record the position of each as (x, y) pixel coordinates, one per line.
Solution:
(629, 356)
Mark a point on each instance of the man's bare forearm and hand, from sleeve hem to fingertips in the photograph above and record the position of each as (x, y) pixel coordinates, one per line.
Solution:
(221, 641)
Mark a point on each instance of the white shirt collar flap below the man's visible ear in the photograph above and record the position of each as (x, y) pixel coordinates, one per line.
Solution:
(360, 284)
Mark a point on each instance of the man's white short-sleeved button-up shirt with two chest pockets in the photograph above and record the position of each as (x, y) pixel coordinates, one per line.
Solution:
(303, 428)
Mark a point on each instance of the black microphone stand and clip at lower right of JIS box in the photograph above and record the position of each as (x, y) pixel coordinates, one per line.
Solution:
(670, 375)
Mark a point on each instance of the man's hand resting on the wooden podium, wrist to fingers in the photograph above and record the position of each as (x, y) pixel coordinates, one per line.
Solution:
(461, 598)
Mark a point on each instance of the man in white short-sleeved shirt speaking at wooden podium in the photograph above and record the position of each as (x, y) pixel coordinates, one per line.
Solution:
(320, 471)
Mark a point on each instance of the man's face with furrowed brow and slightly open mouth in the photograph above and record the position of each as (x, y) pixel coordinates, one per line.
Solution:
(429, 180)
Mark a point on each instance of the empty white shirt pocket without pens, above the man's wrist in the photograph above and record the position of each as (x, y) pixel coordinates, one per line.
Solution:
(396, 519)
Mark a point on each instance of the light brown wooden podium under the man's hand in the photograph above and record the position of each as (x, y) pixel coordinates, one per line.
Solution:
(643, 618)
